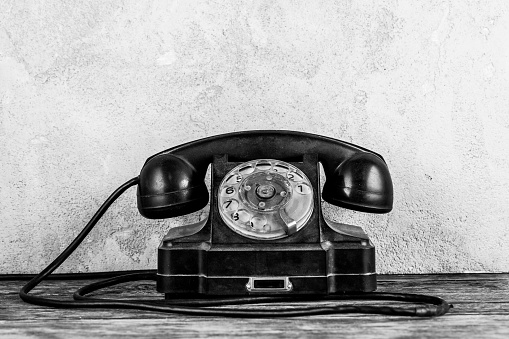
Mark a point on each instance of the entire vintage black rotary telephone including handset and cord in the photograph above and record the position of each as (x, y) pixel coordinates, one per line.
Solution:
(265, 238)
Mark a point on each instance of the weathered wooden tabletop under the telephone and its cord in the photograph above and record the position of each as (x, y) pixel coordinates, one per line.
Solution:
(481, 310)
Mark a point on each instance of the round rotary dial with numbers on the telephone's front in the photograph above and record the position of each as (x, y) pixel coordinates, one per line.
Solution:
(265, 199)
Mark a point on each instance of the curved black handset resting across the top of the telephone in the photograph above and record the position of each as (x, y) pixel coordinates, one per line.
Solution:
(172, 182)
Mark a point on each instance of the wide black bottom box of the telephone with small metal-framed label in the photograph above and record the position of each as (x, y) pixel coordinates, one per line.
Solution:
(204, 269)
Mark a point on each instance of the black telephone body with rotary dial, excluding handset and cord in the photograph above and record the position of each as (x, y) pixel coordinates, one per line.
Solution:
(233, 252)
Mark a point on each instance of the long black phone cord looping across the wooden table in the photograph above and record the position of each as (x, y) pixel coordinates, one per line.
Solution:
(436, 306)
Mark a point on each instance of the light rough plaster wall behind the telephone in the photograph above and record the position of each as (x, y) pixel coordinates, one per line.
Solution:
(90, 89)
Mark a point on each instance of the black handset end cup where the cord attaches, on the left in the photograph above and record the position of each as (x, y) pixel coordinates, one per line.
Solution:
(170, 186)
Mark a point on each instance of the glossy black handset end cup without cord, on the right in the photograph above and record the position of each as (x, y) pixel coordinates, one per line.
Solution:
(362, 183)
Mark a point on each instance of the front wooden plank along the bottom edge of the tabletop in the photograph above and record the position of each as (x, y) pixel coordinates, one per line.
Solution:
(345, 326)
